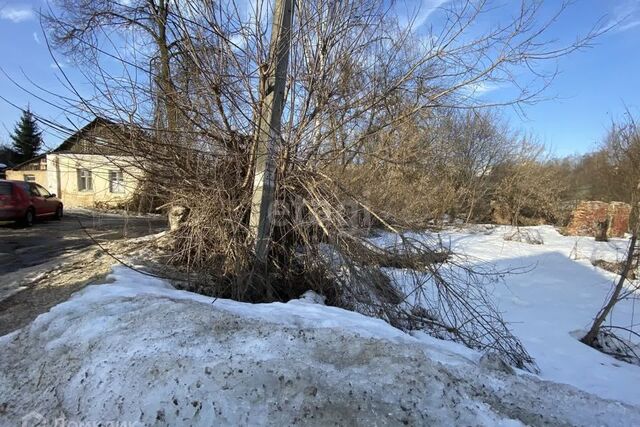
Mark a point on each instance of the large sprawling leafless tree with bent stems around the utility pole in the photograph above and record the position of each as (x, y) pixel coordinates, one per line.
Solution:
(194, 77)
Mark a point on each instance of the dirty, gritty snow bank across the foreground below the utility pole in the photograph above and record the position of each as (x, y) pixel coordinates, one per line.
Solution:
(137, 351)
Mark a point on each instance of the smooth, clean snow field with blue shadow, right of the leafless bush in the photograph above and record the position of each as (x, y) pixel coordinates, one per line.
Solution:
(550, 298)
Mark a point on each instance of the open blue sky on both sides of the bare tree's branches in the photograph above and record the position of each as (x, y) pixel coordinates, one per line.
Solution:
(593, 86)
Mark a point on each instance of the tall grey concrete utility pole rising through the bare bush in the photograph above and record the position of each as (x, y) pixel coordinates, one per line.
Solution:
(269, 123)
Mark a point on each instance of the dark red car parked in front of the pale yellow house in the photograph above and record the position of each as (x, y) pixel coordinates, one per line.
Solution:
(26, 201)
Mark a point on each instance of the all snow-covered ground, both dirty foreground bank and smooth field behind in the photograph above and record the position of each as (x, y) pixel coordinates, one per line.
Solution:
(139, 352)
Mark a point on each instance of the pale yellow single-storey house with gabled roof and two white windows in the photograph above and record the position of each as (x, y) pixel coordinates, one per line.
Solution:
(93, 167)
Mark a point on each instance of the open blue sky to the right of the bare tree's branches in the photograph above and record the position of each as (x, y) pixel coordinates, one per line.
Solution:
(594, 85)
